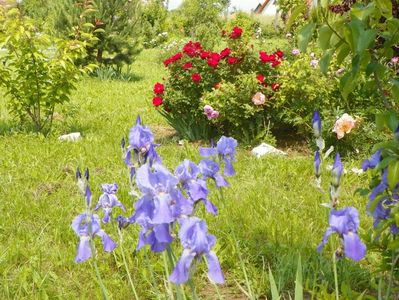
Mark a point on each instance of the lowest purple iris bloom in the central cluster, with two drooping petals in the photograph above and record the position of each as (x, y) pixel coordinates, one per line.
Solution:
(196, 241)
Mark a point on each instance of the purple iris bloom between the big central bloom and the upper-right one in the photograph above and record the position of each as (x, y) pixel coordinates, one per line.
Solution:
(187, 173)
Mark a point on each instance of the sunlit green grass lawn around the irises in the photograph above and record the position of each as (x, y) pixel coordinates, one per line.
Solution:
(269, 217)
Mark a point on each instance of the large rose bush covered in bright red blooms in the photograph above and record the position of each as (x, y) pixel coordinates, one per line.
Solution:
(211, 92)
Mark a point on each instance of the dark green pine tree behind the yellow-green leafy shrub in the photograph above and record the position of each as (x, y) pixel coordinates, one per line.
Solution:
(115, 24)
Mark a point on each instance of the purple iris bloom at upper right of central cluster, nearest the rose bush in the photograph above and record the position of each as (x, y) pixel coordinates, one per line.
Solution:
(226, 148)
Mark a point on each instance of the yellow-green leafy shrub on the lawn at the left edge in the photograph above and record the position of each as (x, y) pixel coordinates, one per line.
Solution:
(38, 72)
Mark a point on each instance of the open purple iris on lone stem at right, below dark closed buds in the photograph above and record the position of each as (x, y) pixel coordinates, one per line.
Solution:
(345, 222)
